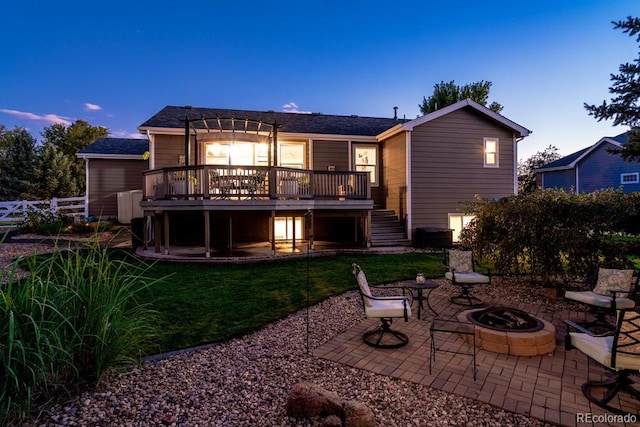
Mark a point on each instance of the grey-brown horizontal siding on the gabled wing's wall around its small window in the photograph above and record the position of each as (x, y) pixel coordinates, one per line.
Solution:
(447, 166)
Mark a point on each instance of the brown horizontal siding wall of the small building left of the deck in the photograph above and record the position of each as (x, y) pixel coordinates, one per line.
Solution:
(107, 178)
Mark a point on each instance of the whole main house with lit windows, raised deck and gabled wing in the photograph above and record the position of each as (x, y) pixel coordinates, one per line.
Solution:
(220, 178)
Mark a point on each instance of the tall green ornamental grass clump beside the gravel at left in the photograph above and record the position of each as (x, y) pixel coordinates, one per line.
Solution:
(75, 315)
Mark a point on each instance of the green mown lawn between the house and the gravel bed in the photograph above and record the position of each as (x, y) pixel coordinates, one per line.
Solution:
(203, 303)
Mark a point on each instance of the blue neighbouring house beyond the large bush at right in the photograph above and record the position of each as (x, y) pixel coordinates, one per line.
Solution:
(592, 169)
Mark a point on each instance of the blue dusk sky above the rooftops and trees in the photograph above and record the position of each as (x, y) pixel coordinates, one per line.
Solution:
(117, 63)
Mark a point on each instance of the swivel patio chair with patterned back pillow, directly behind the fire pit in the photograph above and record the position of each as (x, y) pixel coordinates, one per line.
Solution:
(460, 271)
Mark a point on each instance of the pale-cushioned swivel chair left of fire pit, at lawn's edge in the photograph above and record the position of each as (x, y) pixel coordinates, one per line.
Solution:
(386, 308)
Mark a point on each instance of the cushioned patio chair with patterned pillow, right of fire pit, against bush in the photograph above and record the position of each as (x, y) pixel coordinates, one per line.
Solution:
(612, 291)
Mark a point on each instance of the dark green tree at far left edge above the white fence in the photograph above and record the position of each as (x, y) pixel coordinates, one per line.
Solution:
(17, 161)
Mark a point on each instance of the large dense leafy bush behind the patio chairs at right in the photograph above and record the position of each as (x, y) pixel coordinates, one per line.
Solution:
(552, 233)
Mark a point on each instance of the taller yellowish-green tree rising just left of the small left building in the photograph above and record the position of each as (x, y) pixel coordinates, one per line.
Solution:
(70, 140)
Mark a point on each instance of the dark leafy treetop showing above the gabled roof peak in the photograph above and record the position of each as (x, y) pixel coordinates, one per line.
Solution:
(445, 94)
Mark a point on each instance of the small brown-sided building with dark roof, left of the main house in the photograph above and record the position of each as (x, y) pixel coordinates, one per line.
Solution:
(113, 165)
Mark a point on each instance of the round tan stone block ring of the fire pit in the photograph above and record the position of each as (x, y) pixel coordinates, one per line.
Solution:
(512, 342)
